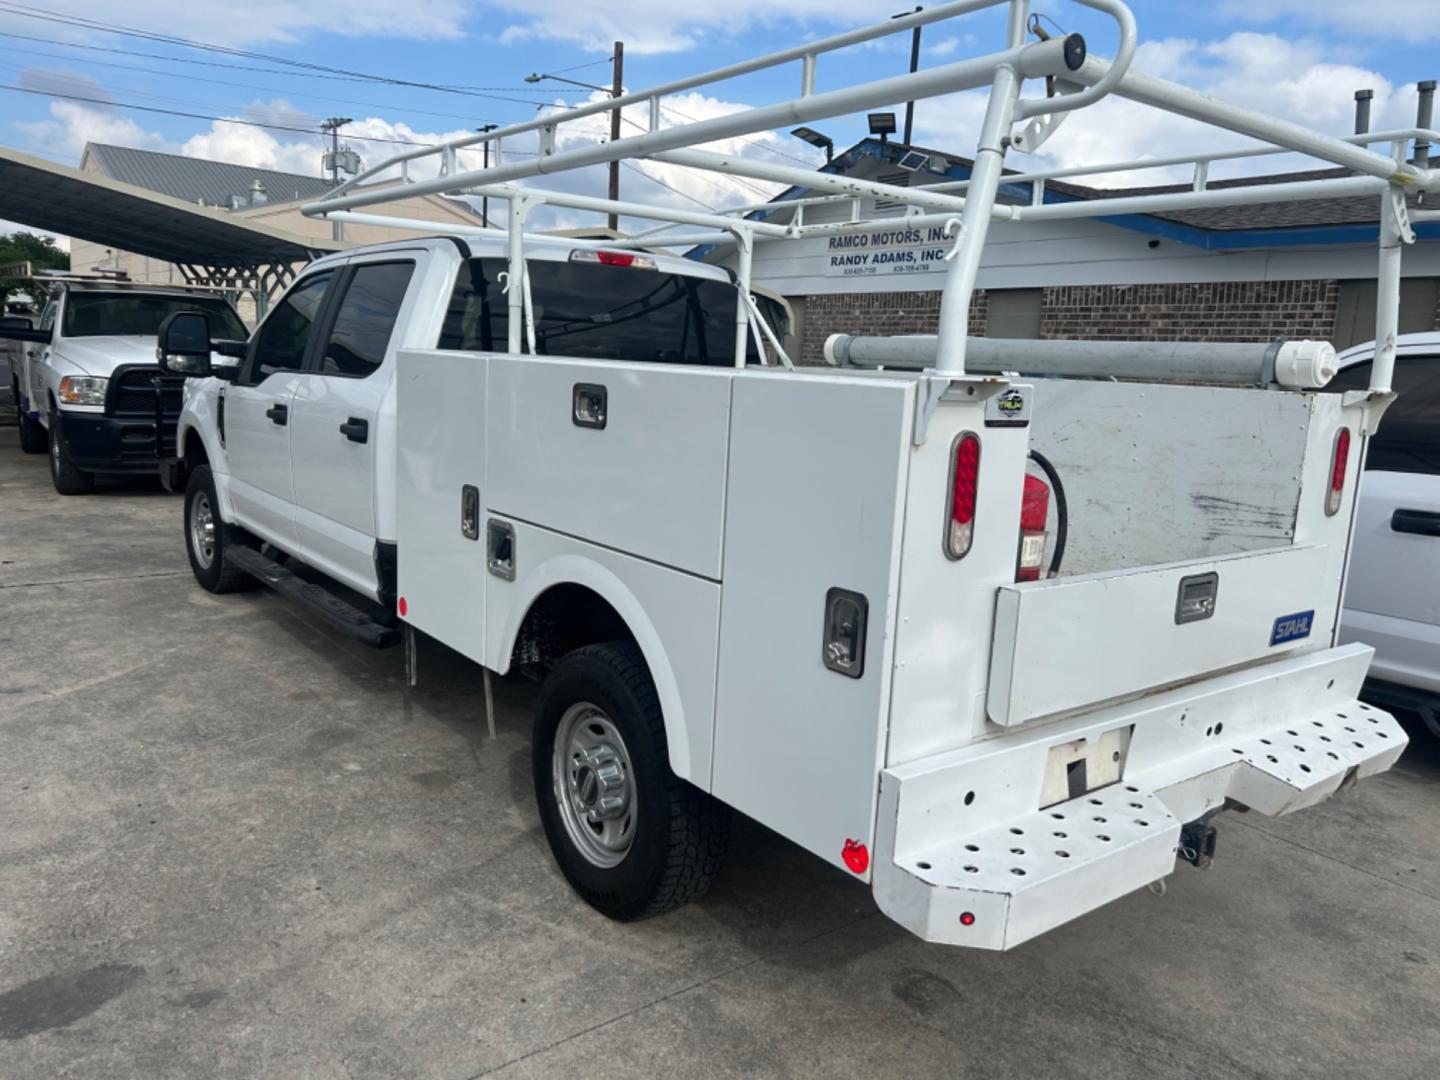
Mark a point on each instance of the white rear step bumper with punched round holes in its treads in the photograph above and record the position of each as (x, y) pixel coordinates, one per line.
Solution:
(1290, 735)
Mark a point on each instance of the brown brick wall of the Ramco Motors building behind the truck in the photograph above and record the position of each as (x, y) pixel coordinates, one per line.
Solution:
(1205, 312)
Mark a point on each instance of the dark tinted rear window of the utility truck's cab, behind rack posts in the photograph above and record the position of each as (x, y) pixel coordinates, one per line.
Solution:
(600, 313)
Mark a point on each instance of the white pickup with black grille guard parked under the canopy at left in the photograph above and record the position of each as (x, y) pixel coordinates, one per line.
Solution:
(87, 385)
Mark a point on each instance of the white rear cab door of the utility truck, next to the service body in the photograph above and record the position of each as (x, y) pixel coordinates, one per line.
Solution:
(335, 421)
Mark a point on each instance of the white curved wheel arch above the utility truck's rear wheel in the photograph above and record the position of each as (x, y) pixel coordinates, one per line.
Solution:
(594, 604)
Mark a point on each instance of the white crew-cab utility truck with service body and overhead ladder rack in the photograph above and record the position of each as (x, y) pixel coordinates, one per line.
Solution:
(993, 627)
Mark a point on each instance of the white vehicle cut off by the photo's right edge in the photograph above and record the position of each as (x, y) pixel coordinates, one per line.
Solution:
(1393, 595)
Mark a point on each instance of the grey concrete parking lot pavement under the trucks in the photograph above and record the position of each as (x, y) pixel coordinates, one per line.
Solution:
(234, 845)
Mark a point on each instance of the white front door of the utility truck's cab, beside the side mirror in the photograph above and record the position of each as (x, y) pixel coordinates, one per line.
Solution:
(258, 413)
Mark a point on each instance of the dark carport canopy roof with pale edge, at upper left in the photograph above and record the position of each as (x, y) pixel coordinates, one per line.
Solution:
(89, 207)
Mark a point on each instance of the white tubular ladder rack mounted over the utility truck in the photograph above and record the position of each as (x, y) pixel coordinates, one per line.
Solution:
(1071, 77)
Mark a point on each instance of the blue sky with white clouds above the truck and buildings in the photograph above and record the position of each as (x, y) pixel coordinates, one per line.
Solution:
(415, 71)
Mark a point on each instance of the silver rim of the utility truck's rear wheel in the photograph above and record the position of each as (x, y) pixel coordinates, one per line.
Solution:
(594, 786)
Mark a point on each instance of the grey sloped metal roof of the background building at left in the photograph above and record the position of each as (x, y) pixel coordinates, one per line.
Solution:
(199, 181)
